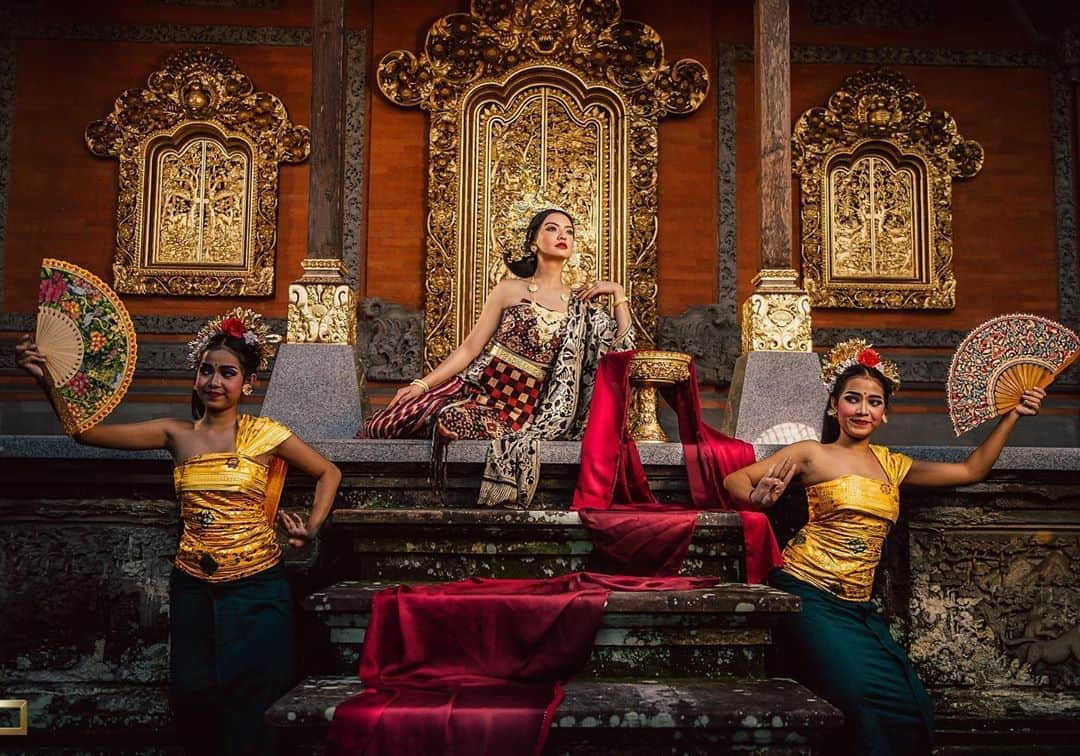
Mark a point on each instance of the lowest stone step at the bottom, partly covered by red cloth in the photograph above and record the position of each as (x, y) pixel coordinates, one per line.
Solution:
(605, 718)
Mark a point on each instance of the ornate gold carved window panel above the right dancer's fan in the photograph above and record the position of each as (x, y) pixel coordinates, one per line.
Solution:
(876, 173)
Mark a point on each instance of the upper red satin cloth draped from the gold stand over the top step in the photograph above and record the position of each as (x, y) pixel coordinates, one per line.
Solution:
(634, 533)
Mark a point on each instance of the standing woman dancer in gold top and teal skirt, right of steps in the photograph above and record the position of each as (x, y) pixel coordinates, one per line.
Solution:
(839, 646)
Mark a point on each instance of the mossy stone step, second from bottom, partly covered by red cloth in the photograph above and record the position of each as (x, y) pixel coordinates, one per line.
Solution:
(709, 633)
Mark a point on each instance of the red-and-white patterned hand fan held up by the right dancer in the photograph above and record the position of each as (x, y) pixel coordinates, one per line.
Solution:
(1001, 360)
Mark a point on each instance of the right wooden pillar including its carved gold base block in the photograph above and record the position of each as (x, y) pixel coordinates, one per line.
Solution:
(777, 317)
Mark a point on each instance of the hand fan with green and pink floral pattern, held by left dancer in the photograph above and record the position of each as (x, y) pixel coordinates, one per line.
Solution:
(89, 343)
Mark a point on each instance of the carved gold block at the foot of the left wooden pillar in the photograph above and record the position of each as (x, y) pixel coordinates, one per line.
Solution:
(321, 305)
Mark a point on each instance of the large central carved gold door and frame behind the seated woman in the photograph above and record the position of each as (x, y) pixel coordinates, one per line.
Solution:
(539, 103)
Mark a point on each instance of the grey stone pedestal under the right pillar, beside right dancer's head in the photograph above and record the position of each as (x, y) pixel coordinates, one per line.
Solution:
(776, 398)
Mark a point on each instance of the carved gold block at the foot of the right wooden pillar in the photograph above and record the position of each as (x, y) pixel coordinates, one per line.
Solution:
(777, 317)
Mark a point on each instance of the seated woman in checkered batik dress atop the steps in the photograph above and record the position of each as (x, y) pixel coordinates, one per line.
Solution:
(525, 372)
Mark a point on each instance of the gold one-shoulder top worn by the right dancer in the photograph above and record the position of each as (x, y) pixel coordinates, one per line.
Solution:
(840, 548)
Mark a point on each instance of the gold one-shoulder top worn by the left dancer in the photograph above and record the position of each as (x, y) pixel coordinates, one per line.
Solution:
(226, 533)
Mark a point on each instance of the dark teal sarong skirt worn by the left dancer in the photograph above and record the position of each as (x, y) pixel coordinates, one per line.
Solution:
(231, 659)
